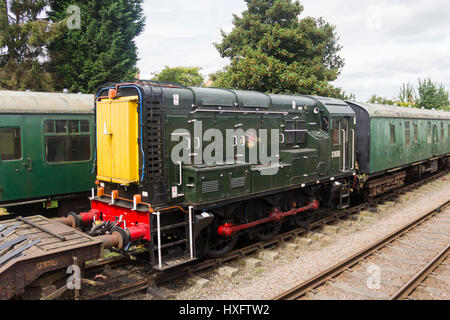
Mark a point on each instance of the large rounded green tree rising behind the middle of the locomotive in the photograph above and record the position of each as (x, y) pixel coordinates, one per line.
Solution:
(271, 50)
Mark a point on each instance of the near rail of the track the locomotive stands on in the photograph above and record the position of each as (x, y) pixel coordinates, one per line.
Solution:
(158, 279)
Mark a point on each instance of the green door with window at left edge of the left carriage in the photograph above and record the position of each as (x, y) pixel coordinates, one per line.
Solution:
(13, 166)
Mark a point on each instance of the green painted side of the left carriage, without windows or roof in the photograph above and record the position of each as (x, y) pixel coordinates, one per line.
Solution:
(31, 177)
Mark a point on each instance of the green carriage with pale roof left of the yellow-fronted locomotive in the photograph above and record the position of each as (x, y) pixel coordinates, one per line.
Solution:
(47, 150)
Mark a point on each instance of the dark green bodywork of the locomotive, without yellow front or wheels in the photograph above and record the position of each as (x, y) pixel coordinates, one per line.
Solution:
(188, 115)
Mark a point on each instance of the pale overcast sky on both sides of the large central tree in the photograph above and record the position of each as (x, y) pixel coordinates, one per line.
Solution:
(385, 42)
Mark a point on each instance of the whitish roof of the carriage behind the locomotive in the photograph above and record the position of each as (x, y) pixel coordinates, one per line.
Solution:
(385, 111)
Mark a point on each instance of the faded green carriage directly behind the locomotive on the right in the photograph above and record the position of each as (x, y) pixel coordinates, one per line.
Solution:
(408, 141)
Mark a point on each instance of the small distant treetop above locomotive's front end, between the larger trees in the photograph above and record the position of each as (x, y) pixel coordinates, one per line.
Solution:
(188, 76)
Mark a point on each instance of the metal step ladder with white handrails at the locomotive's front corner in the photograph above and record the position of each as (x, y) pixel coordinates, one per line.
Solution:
(161, 262)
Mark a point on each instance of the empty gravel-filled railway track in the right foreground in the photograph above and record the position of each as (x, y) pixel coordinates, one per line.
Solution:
(336, 279)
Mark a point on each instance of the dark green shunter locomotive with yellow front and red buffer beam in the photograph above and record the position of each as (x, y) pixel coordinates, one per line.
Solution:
(217, 159)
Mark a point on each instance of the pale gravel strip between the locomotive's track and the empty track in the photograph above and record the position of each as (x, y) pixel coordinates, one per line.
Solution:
(292, 268)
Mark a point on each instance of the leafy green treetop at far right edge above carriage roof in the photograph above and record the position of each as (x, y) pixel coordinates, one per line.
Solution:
(431, 95)
